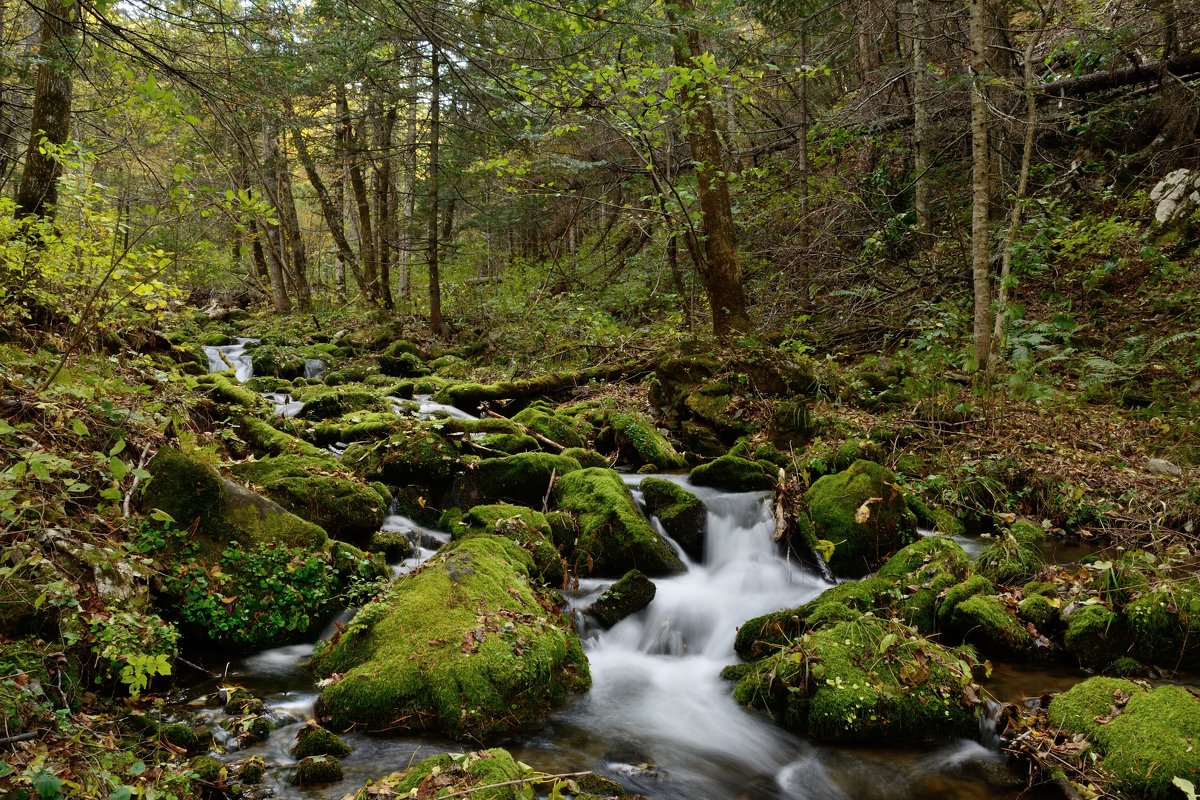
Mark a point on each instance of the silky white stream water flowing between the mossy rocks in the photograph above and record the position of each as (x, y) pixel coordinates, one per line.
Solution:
(659, 719)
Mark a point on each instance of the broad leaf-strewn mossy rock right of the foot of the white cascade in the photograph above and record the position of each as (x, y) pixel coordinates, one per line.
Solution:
(862, 682)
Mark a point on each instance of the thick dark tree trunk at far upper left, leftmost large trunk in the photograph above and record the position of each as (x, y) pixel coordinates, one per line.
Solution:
(51, 121)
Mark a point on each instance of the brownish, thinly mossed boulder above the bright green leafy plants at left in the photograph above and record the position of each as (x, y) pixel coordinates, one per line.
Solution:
(221, 512)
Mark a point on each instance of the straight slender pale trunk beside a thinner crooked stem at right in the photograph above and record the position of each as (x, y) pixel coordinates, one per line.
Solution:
(981, 187)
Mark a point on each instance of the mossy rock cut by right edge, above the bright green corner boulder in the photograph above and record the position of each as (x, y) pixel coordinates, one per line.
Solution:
(1165, 624)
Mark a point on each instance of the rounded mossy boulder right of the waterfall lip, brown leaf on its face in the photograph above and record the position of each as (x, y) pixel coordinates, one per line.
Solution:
(863, 513)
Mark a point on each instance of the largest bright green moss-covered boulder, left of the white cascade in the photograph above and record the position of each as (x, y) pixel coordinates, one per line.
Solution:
(465, 647)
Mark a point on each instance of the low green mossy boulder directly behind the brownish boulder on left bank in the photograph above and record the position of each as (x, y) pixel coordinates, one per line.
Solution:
(319, 491)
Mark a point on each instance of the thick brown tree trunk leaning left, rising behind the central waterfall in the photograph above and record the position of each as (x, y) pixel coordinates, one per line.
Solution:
(719, 269)
